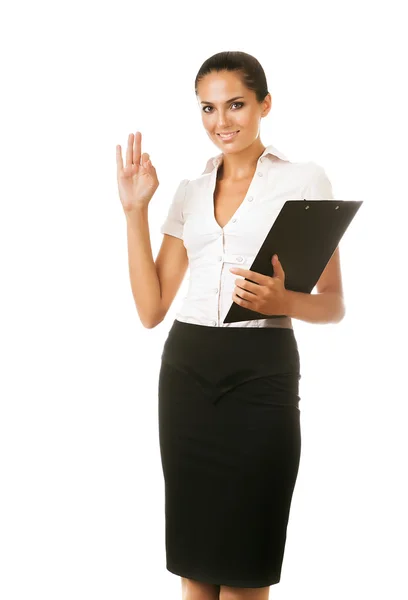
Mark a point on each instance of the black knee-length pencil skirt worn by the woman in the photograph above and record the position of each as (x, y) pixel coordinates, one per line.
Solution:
(229, 431)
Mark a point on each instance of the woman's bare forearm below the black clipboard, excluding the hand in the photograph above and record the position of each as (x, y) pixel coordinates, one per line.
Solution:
(326, 307)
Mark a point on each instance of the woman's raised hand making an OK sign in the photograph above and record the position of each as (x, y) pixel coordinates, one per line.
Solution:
(137, 181)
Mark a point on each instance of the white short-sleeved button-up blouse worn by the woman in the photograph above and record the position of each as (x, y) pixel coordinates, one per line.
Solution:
(213, 250)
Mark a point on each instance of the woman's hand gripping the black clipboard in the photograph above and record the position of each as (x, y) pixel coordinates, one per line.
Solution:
(267, 295)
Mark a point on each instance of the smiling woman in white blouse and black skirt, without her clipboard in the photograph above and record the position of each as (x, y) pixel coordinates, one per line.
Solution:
(229, 420)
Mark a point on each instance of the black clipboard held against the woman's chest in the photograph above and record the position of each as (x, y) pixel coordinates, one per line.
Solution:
(304, 235)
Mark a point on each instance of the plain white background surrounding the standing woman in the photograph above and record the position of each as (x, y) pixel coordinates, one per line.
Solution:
(82, 497)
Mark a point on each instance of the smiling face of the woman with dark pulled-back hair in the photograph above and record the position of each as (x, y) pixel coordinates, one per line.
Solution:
(228, 106)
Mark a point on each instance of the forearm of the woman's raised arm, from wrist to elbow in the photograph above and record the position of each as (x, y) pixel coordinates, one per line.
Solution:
(144, 280)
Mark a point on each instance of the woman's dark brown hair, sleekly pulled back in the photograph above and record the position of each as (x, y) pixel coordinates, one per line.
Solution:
(247, 67)
